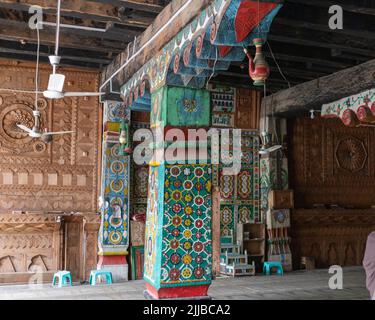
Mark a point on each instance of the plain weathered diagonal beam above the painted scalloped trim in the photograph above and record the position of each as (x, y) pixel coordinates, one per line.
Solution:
(192, 10)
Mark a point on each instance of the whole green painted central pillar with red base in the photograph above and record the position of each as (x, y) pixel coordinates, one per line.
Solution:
(178, 246)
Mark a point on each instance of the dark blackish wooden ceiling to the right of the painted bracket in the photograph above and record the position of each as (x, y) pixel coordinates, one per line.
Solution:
(306, 48)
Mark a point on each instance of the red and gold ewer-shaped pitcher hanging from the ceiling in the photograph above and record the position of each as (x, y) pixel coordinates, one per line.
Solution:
(259, 70)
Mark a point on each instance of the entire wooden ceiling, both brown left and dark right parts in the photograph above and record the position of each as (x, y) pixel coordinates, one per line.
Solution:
(303, 45)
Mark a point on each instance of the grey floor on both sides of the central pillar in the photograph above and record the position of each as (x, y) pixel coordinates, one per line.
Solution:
(298, 285)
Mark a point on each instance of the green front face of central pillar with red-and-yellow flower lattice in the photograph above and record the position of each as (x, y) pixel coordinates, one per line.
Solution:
(187, 248)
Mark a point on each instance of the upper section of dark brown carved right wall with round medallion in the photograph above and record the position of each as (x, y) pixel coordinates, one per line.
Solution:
(331, 163)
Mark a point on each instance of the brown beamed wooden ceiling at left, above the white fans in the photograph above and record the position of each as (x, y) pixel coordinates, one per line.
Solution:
(123, 20)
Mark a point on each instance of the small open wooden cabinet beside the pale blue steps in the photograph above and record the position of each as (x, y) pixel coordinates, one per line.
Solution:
(252, 236)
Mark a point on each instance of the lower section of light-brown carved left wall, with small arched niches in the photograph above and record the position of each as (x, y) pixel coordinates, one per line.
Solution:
(46, 243)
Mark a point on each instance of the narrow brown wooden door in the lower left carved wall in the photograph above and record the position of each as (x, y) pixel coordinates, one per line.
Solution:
(73, 257)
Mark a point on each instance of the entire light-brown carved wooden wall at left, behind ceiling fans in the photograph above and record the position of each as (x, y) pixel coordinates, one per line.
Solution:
(44, 180)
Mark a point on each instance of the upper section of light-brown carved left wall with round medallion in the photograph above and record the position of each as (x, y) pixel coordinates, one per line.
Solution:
(61, 176)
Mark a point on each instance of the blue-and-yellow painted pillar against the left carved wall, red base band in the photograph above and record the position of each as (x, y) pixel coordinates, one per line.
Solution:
(113, 239)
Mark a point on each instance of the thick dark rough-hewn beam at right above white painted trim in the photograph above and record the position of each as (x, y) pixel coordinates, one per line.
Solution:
(313, 94)
